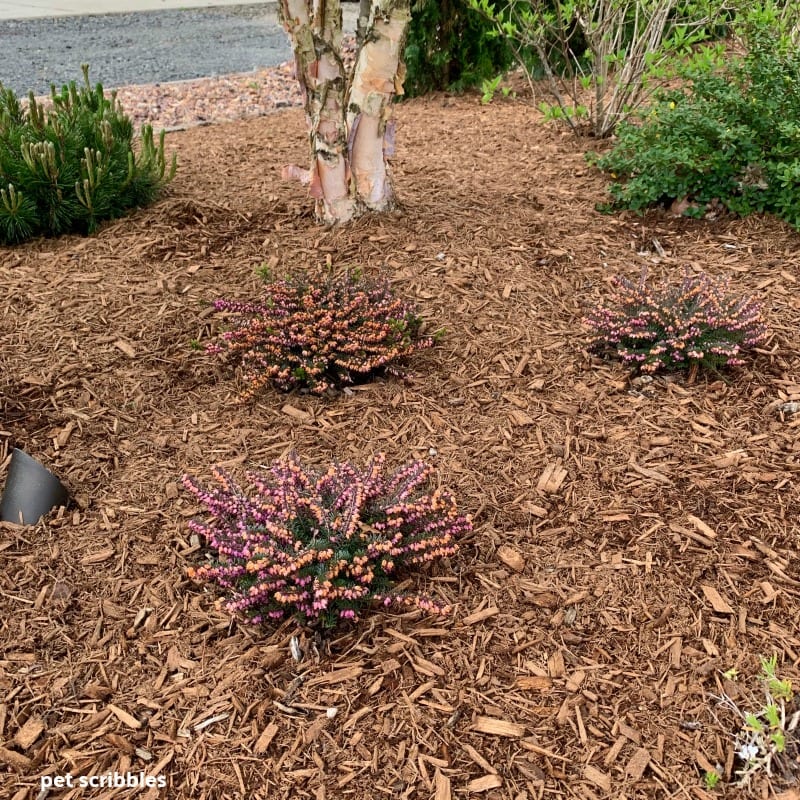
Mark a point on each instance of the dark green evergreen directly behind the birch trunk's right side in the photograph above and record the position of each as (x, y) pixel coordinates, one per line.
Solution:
(450, 46)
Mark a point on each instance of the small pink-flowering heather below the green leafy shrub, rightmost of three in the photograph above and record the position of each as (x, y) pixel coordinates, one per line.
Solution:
(674, 326)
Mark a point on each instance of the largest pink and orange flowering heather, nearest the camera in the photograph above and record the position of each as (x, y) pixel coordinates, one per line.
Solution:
(323, 545)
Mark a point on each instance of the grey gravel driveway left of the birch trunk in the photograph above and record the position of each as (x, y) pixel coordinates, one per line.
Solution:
(145, 47)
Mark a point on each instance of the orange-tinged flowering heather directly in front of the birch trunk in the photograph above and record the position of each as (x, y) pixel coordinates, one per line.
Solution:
(319, 335)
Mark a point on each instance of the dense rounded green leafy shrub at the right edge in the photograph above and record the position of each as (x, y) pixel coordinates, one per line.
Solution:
(731, 137)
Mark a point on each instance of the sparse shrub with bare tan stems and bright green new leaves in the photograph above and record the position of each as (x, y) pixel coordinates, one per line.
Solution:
(602, 59)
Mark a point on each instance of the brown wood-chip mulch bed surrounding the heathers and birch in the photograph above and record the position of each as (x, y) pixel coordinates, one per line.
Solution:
(632, 541)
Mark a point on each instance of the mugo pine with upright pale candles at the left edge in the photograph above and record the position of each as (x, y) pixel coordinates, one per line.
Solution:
(68, 167)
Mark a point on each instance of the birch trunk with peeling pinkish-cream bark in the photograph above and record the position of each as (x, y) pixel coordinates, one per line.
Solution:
(351, 132)
